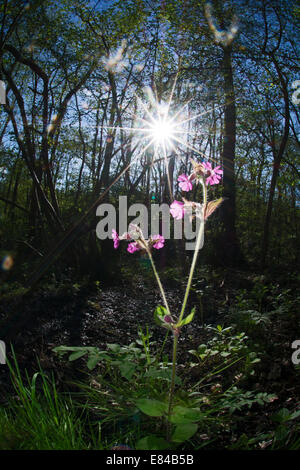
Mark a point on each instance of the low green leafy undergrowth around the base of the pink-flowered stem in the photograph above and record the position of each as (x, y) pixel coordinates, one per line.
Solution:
(143, 401)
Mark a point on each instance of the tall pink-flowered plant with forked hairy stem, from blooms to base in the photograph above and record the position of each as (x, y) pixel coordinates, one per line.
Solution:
(205, 175)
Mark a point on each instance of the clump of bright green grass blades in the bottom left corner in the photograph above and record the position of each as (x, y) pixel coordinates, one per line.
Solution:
(39, 418)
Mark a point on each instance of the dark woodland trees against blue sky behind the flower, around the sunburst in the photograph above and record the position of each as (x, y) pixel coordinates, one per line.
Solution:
(74, 68)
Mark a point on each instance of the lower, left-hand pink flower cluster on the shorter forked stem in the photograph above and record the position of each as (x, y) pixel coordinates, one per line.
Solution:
(155, 241)
